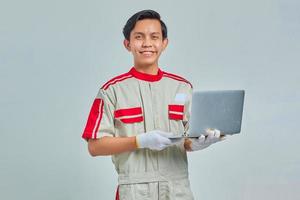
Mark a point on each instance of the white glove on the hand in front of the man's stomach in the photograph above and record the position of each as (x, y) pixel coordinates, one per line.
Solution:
(155, 140)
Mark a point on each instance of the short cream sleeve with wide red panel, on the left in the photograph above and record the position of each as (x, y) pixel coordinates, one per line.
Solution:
(100, 121)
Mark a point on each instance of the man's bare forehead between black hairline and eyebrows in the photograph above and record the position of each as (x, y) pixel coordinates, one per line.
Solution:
(147, 26)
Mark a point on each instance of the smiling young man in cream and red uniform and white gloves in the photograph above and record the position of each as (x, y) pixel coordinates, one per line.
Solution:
(134, 113)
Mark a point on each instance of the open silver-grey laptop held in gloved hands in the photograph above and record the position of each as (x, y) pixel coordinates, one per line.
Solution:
(221, 110)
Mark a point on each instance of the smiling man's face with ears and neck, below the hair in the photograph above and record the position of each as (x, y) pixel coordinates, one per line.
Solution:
(146, 43)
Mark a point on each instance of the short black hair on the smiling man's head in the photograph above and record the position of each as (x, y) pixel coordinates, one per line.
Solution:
(144, 14)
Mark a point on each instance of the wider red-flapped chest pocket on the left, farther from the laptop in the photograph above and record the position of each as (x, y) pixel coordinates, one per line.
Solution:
(129, 121)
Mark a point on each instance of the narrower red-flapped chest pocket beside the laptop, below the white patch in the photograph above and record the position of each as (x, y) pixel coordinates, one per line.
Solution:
(176, 116)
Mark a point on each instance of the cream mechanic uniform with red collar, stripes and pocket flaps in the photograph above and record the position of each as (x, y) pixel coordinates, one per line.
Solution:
(134, 103)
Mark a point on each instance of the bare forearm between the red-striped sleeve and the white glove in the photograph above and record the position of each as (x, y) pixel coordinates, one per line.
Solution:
(111, 145)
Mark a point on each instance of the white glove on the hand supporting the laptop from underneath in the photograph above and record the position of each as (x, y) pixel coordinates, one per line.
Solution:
(212, 136)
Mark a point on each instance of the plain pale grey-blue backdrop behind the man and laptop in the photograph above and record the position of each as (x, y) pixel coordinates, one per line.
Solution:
(56, 54)
